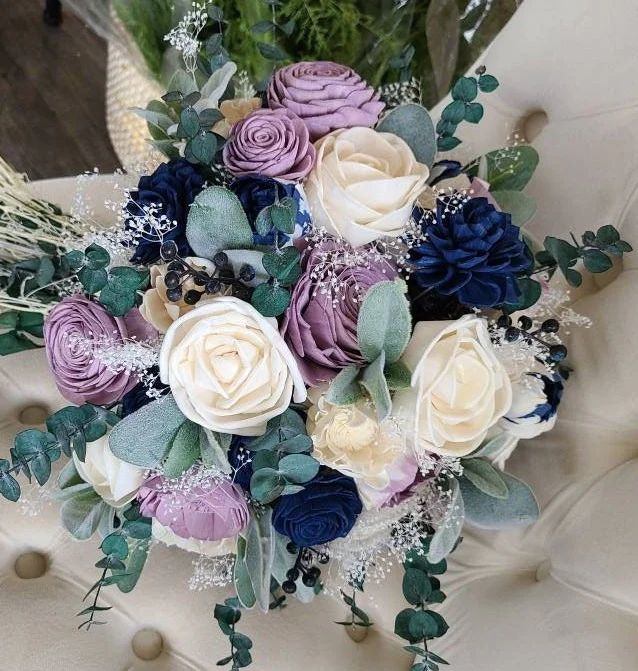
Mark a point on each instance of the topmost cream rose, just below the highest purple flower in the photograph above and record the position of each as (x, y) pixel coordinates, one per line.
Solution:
(364, 184)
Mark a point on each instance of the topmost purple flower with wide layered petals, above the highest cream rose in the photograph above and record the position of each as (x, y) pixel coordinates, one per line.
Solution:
(326, 95)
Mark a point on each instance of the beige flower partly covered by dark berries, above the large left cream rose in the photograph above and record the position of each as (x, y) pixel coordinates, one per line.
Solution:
(156, 308)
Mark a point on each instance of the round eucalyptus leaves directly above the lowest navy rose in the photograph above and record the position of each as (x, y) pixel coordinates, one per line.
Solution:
(281, 463)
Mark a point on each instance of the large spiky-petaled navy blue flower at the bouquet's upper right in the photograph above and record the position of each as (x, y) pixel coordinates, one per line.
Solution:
(472, 252)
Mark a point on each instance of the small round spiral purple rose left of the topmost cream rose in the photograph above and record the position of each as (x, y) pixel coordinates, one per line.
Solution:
(274, 143)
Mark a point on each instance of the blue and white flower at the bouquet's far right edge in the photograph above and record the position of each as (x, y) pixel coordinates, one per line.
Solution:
(534, 404)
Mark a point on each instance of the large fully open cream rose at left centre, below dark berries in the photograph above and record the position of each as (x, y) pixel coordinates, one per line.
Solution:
(228, 367)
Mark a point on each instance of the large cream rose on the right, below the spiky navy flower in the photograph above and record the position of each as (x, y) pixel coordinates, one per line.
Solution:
(459, 388)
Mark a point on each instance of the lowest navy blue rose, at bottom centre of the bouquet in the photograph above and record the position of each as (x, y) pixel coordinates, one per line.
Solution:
(325, 509)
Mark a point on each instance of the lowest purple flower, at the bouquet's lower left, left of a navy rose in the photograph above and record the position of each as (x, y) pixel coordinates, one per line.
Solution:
(207, 511)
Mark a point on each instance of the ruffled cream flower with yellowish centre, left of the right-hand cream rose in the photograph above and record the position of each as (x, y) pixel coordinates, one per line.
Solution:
(350, 439)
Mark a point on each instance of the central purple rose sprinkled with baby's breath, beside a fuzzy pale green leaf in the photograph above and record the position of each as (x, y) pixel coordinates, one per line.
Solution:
(322, 332)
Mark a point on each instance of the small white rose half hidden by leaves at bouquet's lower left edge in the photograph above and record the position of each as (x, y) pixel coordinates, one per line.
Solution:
(114, 480)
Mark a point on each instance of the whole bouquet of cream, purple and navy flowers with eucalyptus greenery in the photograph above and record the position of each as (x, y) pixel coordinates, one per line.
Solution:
(308, 347)
